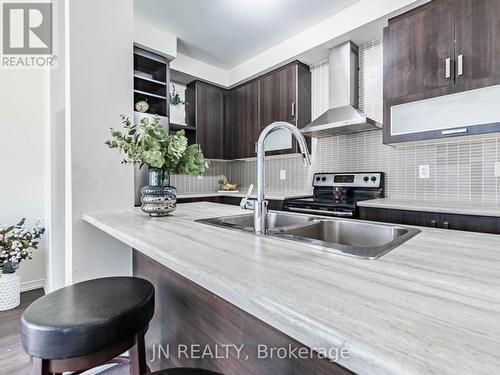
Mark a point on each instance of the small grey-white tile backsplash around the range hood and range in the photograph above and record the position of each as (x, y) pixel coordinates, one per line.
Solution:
(460, 169)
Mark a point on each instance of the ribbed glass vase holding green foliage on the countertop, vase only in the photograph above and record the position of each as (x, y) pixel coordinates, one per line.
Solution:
(158, 198)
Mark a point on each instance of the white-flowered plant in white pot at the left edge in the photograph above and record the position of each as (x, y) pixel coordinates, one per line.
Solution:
(16, 245)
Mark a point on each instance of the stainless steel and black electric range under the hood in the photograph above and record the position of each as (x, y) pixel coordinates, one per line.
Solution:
(337, 194)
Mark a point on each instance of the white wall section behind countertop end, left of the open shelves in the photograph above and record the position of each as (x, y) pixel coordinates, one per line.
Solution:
(99, 66)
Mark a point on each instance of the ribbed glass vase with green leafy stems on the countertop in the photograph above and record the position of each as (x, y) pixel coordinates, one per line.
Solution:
(150, 144)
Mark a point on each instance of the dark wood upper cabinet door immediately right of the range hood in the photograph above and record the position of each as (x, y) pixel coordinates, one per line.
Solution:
(417, 45)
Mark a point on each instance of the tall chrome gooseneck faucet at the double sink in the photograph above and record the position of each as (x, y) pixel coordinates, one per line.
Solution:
(260, 204)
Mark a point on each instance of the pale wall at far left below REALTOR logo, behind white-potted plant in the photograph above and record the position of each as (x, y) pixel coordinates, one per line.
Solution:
(22, 117)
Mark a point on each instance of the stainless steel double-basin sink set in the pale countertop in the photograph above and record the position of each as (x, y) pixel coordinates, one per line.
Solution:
(348, 237)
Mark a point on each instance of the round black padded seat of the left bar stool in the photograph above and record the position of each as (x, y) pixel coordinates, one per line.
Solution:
(87, 317)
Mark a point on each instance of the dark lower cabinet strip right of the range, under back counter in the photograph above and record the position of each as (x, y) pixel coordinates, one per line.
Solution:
(470, 223)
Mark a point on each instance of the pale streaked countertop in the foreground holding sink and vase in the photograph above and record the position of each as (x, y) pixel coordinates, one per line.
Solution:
(431, 305)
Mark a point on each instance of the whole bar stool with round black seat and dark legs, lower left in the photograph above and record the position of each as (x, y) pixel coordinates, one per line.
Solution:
(89, 324)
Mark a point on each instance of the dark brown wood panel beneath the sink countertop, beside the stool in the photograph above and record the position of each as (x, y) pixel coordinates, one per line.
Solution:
(189, 319)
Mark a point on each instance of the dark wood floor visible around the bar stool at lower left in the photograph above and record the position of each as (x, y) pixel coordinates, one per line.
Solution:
(13, 360)
